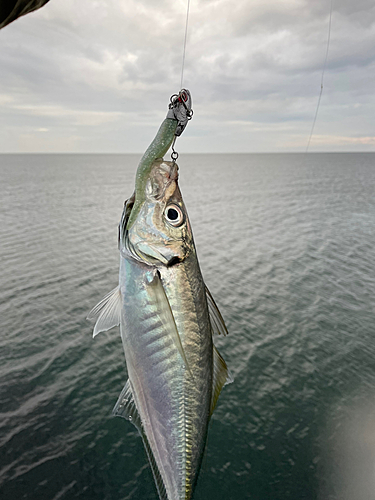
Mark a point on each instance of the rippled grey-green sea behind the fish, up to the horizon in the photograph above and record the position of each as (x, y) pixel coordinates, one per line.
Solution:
(286, 244)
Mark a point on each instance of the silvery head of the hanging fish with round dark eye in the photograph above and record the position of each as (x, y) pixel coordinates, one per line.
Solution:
(160, 232)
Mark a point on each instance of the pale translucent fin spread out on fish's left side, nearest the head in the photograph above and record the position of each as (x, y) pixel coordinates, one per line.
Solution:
(107, 312)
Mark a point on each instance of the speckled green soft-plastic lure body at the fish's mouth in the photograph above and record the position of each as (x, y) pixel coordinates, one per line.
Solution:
(157, 149)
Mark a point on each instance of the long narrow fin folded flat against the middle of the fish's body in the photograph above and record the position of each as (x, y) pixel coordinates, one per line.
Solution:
(156, 291)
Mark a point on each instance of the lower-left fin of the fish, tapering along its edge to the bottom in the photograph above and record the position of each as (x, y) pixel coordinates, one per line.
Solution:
(126, 408)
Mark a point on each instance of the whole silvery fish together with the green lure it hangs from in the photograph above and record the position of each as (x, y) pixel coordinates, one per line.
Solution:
(167, 319)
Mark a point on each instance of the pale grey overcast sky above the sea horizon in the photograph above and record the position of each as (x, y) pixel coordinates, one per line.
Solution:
(96, 75)
